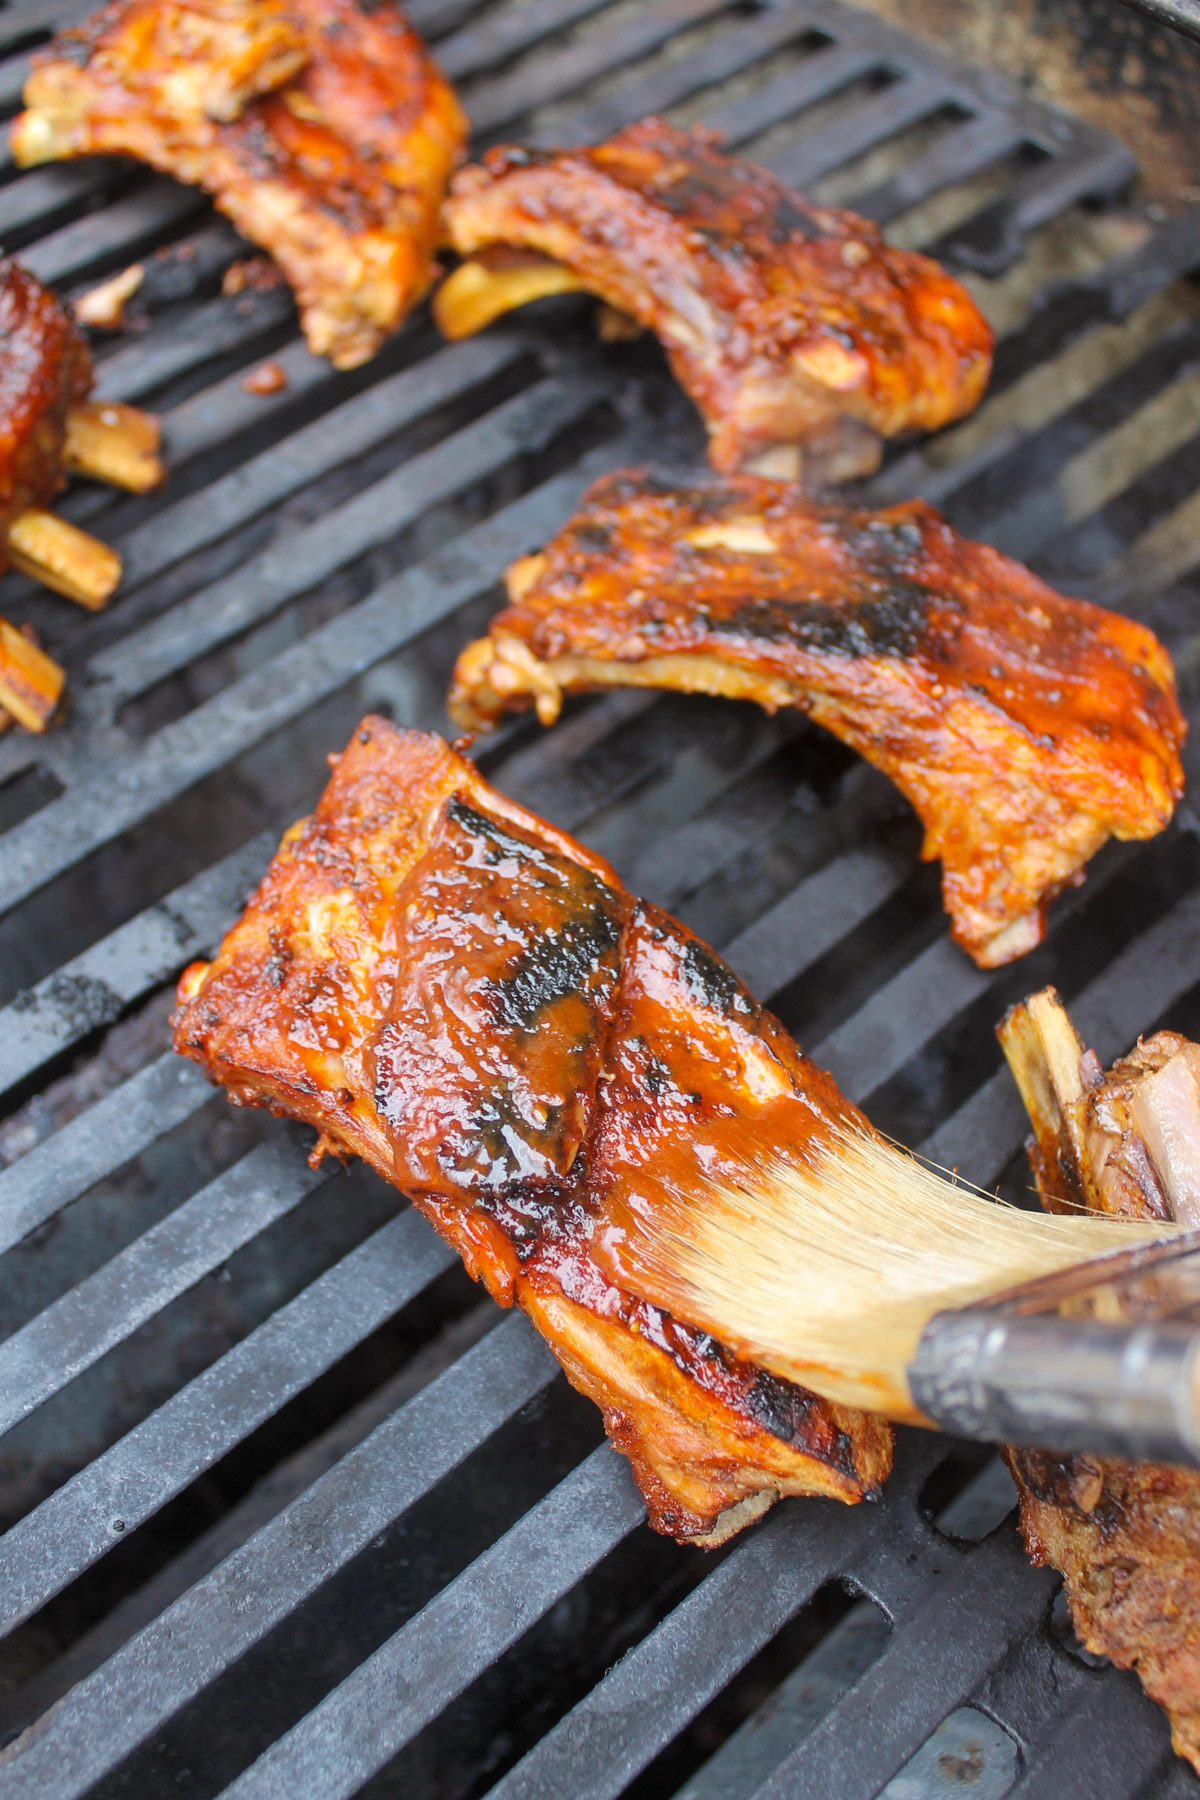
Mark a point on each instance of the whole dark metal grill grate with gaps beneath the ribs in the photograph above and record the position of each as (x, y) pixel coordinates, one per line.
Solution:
(291, 1509)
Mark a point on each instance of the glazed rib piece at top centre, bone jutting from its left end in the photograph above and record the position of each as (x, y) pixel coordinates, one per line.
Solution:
(789, 325)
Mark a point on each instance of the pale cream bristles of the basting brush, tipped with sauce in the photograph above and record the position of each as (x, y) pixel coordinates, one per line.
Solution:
(827, 1270)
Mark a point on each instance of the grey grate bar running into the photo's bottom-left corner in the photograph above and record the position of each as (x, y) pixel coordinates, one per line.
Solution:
(215, 1623)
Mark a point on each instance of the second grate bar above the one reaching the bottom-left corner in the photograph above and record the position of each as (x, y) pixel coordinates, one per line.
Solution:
(100, 1313)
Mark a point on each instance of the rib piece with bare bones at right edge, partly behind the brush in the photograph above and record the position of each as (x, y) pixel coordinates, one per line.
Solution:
(1125, 1536)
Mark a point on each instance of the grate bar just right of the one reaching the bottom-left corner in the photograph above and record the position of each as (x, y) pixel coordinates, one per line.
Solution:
(411, 1678)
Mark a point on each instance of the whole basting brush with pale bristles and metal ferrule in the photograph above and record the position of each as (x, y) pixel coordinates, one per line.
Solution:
(879, 1282)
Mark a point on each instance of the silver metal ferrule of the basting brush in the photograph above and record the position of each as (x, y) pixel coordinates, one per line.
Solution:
(1059, 1383)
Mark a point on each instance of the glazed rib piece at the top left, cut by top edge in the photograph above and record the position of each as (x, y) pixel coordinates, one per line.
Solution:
(321, 127)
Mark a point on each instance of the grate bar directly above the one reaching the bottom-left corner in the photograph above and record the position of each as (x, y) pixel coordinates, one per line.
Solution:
(197, 1426)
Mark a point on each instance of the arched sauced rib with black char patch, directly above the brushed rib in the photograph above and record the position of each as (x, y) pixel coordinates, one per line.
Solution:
(1025, 728)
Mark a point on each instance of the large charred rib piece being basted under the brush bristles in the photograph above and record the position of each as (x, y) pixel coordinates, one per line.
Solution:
(463, 996)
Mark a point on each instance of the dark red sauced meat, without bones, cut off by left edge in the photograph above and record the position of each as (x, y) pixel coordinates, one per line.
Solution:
(44, 370)
